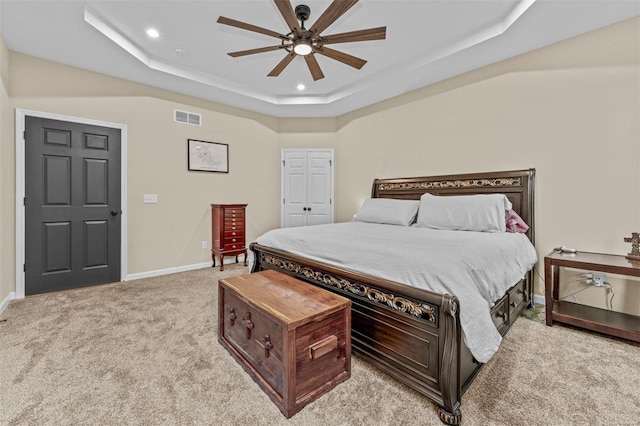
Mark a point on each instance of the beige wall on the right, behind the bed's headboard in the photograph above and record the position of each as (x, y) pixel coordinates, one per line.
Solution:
(570, 110)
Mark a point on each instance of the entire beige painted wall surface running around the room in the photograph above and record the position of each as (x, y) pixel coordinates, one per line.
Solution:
(570, 110)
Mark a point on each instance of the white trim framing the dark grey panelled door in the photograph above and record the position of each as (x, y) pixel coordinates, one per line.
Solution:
(21, 115)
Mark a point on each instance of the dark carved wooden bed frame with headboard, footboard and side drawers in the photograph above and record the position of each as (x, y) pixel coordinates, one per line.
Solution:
(414, 335)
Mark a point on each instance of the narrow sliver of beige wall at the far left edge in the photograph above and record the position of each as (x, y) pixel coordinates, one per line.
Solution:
(7, 198)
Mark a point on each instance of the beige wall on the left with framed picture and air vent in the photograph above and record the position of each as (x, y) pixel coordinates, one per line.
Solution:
(168, 234)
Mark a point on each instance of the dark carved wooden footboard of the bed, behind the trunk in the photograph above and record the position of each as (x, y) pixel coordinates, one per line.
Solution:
(412, 334)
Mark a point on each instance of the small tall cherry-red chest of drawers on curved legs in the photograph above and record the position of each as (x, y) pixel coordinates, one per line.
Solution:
(228, 232)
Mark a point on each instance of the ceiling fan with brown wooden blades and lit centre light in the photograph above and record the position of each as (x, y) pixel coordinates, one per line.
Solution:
(306, 42)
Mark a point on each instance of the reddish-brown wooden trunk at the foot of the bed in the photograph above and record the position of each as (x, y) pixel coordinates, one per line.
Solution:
(294, 339)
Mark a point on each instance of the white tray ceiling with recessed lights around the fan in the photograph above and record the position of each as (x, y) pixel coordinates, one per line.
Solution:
(427, 41)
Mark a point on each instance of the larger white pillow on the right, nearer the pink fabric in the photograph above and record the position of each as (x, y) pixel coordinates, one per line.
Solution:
(483, 213)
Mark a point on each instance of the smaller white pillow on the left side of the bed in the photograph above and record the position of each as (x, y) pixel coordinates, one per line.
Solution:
(387, 210)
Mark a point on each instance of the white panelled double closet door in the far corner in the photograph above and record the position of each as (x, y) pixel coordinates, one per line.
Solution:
(307, 187)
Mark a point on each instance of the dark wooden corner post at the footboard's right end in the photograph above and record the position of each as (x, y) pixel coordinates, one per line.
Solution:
(450, 367)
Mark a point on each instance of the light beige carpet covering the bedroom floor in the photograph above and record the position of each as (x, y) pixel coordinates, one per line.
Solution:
(145, 352)
